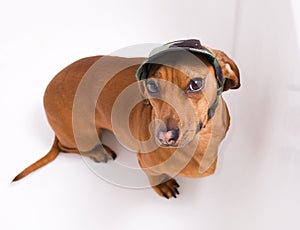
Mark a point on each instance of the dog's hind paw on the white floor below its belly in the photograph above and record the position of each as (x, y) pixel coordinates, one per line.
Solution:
(101, 153)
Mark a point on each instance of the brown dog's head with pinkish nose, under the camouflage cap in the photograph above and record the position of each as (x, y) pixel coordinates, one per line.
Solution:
(183, 89)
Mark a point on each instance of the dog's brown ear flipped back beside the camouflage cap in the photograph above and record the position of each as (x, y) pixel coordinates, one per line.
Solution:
(230, 70)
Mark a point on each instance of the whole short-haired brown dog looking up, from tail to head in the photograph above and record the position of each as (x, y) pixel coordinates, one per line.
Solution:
(175, 128)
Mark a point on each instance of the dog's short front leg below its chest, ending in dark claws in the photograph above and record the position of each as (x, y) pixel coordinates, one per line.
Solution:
(164, 185)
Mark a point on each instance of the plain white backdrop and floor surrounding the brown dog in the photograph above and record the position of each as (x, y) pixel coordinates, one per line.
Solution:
(257, 184)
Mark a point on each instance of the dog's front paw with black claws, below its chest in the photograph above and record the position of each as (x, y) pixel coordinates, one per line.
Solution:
(167, 189)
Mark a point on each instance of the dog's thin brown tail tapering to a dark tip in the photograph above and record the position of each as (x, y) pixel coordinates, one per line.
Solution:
(50, 156)
